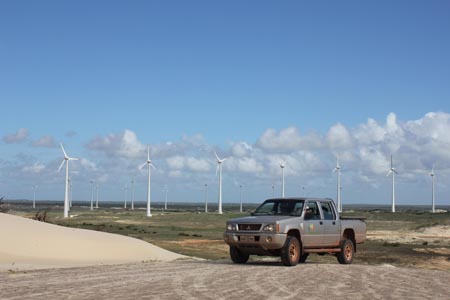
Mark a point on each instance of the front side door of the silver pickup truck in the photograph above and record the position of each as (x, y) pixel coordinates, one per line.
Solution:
(312, 225)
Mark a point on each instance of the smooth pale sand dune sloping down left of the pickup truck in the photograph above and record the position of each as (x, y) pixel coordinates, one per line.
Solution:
(26, 244)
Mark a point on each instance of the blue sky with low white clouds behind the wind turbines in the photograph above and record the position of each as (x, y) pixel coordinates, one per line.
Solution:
(259, 82)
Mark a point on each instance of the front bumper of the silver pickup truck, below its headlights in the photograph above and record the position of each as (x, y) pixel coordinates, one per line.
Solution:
(264, 241)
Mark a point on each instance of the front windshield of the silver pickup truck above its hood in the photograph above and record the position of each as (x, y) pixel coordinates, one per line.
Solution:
(280, 207)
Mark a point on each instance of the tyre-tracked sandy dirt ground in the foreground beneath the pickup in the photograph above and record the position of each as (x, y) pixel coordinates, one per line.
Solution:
(223, 280)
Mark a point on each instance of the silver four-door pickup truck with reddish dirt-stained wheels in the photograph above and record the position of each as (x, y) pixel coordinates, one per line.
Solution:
(292, 228)
